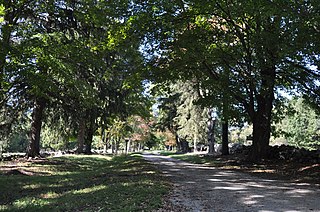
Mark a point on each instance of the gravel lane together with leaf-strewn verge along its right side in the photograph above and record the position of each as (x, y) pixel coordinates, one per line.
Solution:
(231, 184)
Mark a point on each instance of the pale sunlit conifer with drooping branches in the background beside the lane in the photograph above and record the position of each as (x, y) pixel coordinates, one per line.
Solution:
(181, 115)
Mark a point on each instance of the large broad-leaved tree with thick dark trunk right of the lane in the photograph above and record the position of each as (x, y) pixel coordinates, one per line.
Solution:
(260, 44)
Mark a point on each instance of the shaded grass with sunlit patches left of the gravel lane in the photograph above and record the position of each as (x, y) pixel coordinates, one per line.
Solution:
(81, 183)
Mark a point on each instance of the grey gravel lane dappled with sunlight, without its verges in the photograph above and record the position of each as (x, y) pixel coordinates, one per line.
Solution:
(203, 188)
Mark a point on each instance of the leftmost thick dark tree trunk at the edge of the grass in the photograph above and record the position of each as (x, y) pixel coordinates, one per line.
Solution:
(34, 144)
